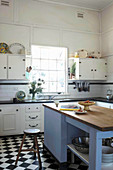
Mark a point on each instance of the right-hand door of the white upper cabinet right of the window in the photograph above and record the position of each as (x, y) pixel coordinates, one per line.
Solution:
(100, 69)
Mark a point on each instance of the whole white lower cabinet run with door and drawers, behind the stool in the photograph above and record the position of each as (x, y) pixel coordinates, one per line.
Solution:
(15, 118)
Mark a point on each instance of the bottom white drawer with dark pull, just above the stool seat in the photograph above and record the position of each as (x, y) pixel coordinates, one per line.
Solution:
(32, 124)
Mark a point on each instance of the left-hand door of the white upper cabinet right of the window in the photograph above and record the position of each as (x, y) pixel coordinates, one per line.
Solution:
(86, 69)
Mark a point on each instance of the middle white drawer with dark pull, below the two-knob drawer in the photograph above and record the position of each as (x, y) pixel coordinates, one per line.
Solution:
(32, 116)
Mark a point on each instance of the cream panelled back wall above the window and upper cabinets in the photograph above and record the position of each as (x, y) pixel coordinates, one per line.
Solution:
(42, 23)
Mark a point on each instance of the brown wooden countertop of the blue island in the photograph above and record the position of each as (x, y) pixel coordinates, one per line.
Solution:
(98, 117)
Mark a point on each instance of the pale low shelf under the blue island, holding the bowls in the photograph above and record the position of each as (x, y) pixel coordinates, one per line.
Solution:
(82, 156)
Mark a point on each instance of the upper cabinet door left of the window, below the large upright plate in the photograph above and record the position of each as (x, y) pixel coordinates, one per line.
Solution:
(16, 67)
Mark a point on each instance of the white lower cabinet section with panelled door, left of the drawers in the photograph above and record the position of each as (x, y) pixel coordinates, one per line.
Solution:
(10, 116)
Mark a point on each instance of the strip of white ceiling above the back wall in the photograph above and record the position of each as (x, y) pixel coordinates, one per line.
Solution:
(93, 4)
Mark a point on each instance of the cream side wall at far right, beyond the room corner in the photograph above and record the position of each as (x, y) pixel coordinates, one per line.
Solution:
(107, 39)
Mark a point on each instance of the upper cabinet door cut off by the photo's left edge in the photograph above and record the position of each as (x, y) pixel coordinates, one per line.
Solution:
(3, 66)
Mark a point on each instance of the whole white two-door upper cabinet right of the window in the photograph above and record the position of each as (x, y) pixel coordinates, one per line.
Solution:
(90, 69)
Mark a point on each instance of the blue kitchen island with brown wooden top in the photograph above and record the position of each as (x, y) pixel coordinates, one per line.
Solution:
(61, 126)
